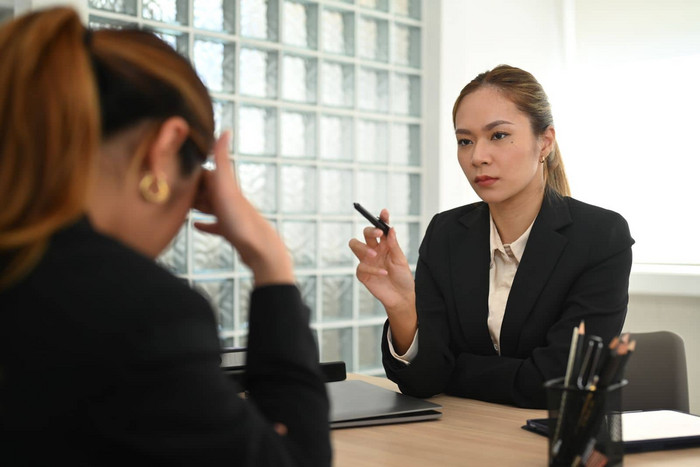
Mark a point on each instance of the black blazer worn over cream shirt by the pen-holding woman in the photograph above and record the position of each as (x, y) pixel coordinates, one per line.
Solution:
(575, 267)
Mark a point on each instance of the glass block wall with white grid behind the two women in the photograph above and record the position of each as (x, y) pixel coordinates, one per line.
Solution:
(324, 98)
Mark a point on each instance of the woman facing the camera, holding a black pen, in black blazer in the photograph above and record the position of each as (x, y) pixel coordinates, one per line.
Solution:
(500, 284)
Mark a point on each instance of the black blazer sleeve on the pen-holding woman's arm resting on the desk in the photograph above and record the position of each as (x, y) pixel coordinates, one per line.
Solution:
(597, 294)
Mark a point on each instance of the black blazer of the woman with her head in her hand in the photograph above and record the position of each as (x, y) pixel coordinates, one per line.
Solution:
(108, 359)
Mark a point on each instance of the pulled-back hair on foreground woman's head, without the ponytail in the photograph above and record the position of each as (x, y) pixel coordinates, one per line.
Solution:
(140, 77)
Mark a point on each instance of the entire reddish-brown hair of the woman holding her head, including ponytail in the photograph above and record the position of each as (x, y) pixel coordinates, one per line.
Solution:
(63, 89)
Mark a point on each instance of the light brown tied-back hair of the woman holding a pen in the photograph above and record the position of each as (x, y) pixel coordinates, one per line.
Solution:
(529, 97)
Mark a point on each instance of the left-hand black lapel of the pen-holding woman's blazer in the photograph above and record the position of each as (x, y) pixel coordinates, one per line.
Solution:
(469, 267)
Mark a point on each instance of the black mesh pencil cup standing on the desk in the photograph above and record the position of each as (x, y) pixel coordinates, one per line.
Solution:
(584, 424)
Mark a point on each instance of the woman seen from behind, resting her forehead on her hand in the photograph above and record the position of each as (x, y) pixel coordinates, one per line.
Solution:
(105, 357)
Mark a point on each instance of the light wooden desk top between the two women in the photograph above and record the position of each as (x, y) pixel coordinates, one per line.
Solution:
(469, 433)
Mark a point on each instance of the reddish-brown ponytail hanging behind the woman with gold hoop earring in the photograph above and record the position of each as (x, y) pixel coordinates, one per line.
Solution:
(49, 133)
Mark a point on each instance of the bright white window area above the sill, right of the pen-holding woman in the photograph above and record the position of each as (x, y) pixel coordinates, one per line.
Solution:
(630, 95)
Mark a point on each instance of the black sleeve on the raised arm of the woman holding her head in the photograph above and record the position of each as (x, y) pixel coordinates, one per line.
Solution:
(284, 377)
